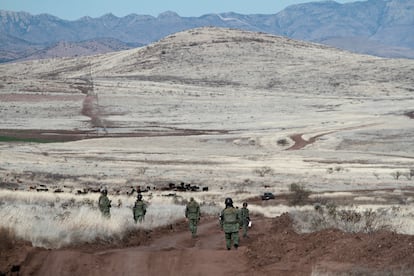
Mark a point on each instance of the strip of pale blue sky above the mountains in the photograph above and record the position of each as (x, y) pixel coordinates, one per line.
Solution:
(75, 9)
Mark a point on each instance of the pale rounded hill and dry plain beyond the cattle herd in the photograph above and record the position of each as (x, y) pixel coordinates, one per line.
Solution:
(214, 107)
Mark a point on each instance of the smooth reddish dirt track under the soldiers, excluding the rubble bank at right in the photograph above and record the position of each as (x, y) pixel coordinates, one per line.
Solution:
(175, 253)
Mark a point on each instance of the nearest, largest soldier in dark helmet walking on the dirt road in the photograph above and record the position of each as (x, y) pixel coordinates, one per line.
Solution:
(229, 222)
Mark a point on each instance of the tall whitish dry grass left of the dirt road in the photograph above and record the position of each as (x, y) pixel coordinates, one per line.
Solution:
(52, 220)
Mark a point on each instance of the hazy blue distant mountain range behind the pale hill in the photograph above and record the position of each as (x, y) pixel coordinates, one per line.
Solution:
(376, 27)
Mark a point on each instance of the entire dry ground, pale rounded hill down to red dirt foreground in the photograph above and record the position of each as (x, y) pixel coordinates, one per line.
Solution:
(225, 113)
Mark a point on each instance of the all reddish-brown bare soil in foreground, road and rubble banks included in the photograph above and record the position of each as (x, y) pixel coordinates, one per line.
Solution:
(273, 248)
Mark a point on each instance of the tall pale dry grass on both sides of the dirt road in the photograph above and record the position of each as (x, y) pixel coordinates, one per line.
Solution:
(54, 220)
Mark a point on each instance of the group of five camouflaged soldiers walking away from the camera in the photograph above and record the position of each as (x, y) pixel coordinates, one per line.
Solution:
(231, 219)
